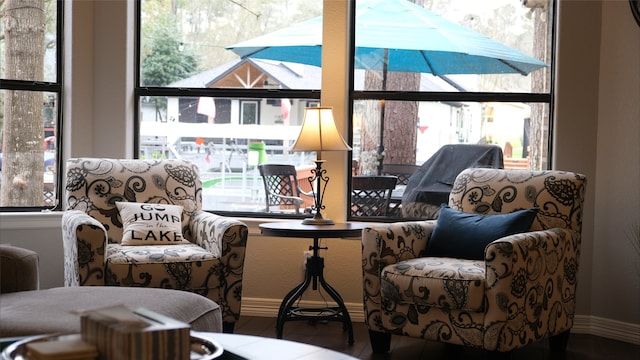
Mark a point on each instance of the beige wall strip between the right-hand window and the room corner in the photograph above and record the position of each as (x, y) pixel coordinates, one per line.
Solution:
(576, 116)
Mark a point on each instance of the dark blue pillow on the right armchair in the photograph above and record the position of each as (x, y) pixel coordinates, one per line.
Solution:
(465, 235)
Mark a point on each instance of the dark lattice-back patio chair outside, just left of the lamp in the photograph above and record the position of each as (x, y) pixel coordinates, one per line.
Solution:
(281, 187)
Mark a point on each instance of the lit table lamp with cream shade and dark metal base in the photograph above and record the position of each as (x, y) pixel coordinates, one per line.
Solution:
(319, 133)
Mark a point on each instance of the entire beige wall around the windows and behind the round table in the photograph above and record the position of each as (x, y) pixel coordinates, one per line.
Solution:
(597, 132)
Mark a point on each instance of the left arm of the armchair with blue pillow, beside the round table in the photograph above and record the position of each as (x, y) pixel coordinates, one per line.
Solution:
(385, 244)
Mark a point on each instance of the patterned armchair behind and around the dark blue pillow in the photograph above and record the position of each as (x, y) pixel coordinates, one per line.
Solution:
(521, 291)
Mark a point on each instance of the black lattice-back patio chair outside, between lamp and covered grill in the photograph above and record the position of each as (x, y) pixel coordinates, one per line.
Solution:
(371, 195)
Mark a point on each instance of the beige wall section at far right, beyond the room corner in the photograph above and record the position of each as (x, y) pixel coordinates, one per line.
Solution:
(616, 267)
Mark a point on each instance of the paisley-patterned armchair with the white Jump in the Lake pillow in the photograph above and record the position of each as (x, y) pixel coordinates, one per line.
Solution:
(188, 249)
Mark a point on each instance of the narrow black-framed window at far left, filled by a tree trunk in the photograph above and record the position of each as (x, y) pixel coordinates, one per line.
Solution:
(30, 93)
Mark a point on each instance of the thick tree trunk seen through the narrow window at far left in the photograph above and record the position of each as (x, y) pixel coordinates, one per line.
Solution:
(23, 129)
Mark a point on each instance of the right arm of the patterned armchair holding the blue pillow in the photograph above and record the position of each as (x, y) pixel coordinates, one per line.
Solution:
(531, 286)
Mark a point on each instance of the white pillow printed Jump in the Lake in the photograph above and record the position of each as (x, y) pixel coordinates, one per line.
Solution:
(151, 224)
